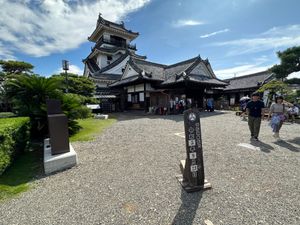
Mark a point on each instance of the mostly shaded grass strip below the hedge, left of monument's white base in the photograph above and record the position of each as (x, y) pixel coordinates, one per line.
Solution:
(17, 177)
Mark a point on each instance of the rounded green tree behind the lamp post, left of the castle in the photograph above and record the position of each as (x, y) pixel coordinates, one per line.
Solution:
(76, 84)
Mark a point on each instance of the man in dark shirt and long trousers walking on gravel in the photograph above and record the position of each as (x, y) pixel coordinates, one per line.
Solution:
(255, 111)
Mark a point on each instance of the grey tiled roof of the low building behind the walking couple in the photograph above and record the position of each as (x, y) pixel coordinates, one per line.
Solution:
(249, 81)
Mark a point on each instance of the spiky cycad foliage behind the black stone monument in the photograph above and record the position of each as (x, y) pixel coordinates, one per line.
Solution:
(29, 93)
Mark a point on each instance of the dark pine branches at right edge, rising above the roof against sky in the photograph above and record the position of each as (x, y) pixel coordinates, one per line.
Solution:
(289, 62)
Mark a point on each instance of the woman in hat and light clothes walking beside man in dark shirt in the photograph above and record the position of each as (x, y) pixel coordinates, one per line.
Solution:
(277, 111)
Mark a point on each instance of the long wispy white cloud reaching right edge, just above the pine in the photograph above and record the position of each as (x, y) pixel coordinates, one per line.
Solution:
(273, 39)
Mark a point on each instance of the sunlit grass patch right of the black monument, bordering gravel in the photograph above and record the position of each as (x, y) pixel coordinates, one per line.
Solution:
(90, 128)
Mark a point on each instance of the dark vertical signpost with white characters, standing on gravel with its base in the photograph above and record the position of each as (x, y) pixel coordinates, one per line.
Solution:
(192, 168)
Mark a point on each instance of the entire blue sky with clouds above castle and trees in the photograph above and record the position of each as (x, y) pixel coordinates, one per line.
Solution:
(237, 36)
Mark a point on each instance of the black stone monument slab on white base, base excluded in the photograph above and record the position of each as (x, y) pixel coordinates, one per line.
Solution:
(58, 127)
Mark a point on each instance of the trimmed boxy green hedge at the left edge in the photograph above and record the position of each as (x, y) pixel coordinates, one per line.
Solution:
(14, 138)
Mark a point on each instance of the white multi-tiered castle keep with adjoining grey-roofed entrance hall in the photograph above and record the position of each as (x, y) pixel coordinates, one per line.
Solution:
(125, 80)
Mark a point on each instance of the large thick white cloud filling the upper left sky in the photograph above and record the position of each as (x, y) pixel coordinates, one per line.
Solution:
(42, 27)
